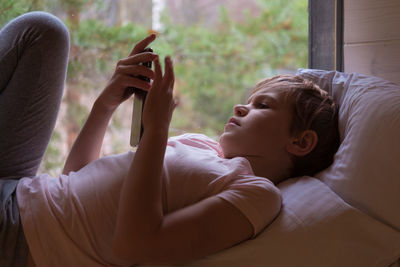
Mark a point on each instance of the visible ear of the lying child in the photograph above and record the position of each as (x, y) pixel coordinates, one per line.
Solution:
(303, 143)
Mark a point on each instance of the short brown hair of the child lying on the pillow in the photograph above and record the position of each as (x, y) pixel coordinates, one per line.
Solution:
(312, 109)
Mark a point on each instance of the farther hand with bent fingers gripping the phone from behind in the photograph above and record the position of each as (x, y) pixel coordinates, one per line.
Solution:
(126, 75)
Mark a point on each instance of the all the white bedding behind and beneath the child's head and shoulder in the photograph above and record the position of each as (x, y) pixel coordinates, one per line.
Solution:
(348, 214)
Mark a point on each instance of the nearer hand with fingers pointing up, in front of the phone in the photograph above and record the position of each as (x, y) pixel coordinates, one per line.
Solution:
(160, 103)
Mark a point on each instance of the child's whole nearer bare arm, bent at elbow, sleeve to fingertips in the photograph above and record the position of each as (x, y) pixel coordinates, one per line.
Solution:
(143, 233)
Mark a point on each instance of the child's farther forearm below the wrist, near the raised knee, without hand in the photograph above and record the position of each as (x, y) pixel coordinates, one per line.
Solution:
(87, 145)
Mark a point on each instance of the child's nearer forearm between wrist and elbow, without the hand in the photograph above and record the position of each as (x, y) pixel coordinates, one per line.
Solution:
(140, 204)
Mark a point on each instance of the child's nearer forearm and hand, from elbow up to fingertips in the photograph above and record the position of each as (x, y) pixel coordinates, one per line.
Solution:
(140, 218)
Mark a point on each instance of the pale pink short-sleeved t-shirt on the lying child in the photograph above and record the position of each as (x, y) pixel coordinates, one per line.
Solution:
(70, 220)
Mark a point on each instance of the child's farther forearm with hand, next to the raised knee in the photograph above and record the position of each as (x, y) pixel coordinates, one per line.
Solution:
(87, 146)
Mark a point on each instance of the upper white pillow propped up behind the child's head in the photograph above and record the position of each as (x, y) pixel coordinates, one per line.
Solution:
(366, 168)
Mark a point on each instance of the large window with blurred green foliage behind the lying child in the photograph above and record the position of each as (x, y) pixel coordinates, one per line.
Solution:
(220, 49)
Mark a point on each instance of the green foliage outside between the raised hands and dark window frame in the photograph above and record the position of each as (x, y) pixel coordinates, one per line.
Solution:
(216, 68)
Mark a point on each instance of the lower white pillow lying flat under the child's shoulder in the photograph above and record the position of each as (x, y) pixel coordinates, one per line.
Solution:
(314, 228)
